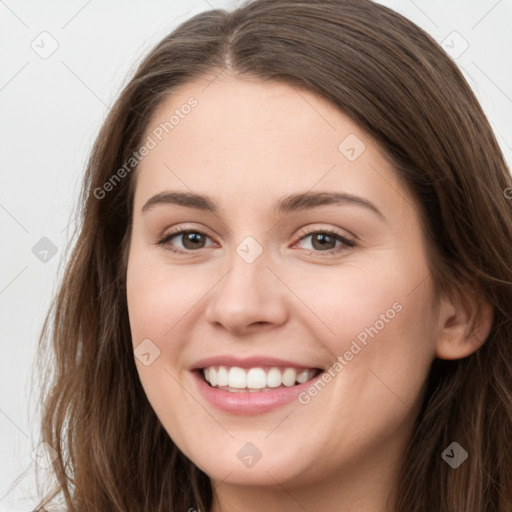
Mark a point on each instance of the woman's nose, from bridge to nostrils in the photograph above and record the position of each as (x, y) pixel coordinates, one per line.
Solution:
(249, 298)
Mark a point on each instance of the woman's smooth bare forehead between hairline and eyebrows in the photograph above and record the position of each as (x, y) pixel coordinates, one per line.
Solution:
(248, 137)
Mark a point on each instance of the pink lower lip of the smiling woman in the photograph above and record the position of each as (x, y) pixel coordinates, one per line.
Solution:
(250, 403)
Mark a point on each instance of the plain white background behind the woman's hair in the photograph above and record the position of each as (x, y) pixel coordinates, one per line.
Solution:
(51, 110)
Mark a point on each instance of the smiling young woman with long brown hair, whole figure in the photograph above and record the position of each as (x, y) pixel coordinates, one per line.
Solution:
(207, 359)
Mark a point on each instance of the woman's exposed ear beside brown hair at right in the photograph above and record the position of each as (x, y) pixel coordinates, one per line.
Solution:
(465, 324)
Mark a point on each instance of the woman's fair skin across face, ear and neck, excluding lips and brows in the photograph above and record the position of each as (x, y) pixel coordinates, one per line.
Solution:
(246, 144)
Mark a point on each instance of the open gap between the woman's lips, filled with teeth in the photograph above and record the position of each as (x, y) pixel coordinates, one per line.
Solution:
(235, 379)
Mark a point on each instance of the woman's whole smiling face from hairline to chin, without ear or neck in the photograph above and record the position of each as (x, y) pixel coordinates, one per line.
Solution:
(325, 304)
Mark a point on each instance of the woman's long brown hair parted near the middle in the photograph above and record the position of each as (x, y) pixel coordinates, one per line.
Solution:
(397, 84)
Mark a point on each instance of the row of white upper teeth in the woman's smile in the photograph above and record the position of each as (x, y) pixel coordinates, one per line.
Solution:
(255, 378)
